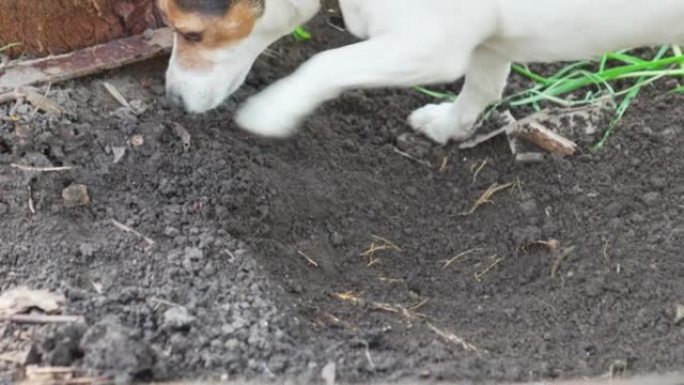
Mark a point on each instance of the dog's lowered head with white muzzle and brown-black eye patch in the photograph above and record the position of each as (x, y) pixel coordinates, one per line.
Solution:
(217, 41)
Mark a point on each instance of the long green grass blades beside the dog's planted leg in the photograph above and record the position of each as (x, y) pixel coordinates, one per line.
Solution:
(616, 76)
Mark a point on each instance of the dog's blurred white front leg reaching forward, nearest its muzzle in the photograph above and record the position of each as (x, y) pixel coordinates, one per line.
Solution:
(392, 60)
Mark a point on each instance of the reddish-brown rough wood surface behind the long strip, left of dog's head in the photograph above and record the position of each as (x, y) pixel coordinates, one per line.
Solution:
(57, 26)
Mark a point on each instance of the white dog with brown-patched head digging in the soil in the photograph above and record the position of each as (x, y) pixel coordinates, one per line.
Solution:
(404, 43)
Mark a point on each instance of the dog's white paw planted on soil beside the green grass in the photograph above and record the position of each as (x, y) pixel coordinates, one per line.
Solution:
(438, 122)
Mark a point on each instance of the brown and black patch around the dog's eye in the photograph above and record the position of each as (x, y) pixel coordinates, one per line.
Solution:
(204, 25)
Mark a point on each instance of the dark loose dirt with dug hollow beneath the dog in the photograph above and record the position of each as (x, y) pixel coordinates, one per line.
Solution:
(226, 289)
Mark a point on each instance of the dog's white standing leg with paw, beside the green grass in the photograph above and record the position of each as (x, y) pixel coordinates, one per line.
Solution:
(484, 84)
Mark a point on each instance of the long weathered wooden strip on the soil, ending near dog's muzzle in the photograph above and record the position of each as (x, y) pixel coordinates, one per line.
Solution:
(88, 61)
